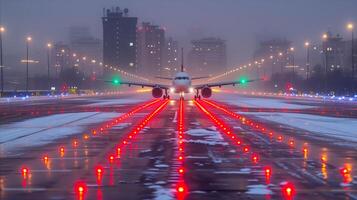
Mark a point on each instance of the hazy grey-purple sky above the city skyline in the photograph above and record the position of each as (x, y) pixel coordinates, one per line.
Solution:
(239, 22)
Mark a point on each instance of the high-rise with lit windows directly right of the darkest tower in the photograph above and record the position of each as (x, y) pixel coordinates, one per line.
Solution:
(151, 44)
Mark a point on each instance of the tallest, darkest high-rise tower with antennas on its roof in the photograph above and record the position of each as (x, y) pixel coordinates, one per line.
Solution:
(119, 40)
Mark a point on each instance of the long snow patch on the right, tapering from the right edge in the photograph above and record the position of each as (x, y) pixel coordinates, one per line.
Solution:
(342, 128)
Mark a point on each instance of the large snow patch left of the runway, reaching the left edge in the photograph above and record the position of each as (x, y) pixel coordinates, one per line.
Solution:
(44, 130)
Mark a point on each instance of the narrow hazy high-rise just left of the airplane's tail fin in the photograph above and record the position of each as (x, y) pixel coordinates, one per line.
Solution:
(171, 57)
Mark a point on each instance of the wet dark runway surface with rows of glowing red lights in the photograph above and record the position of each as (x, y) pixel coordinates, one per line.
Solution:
(124, 148)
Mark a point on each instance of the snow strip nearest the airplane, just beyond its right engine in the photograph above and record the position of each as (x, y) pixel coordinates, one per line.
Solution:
(252, 102)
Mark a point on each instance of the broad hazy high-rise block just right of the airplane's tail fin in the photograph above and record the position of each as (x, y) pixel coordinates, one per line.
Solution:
(208, 56)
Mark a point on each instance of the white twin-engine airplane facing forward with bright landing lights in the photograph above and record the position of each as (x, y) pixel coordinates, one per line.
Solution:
(182, 83)
